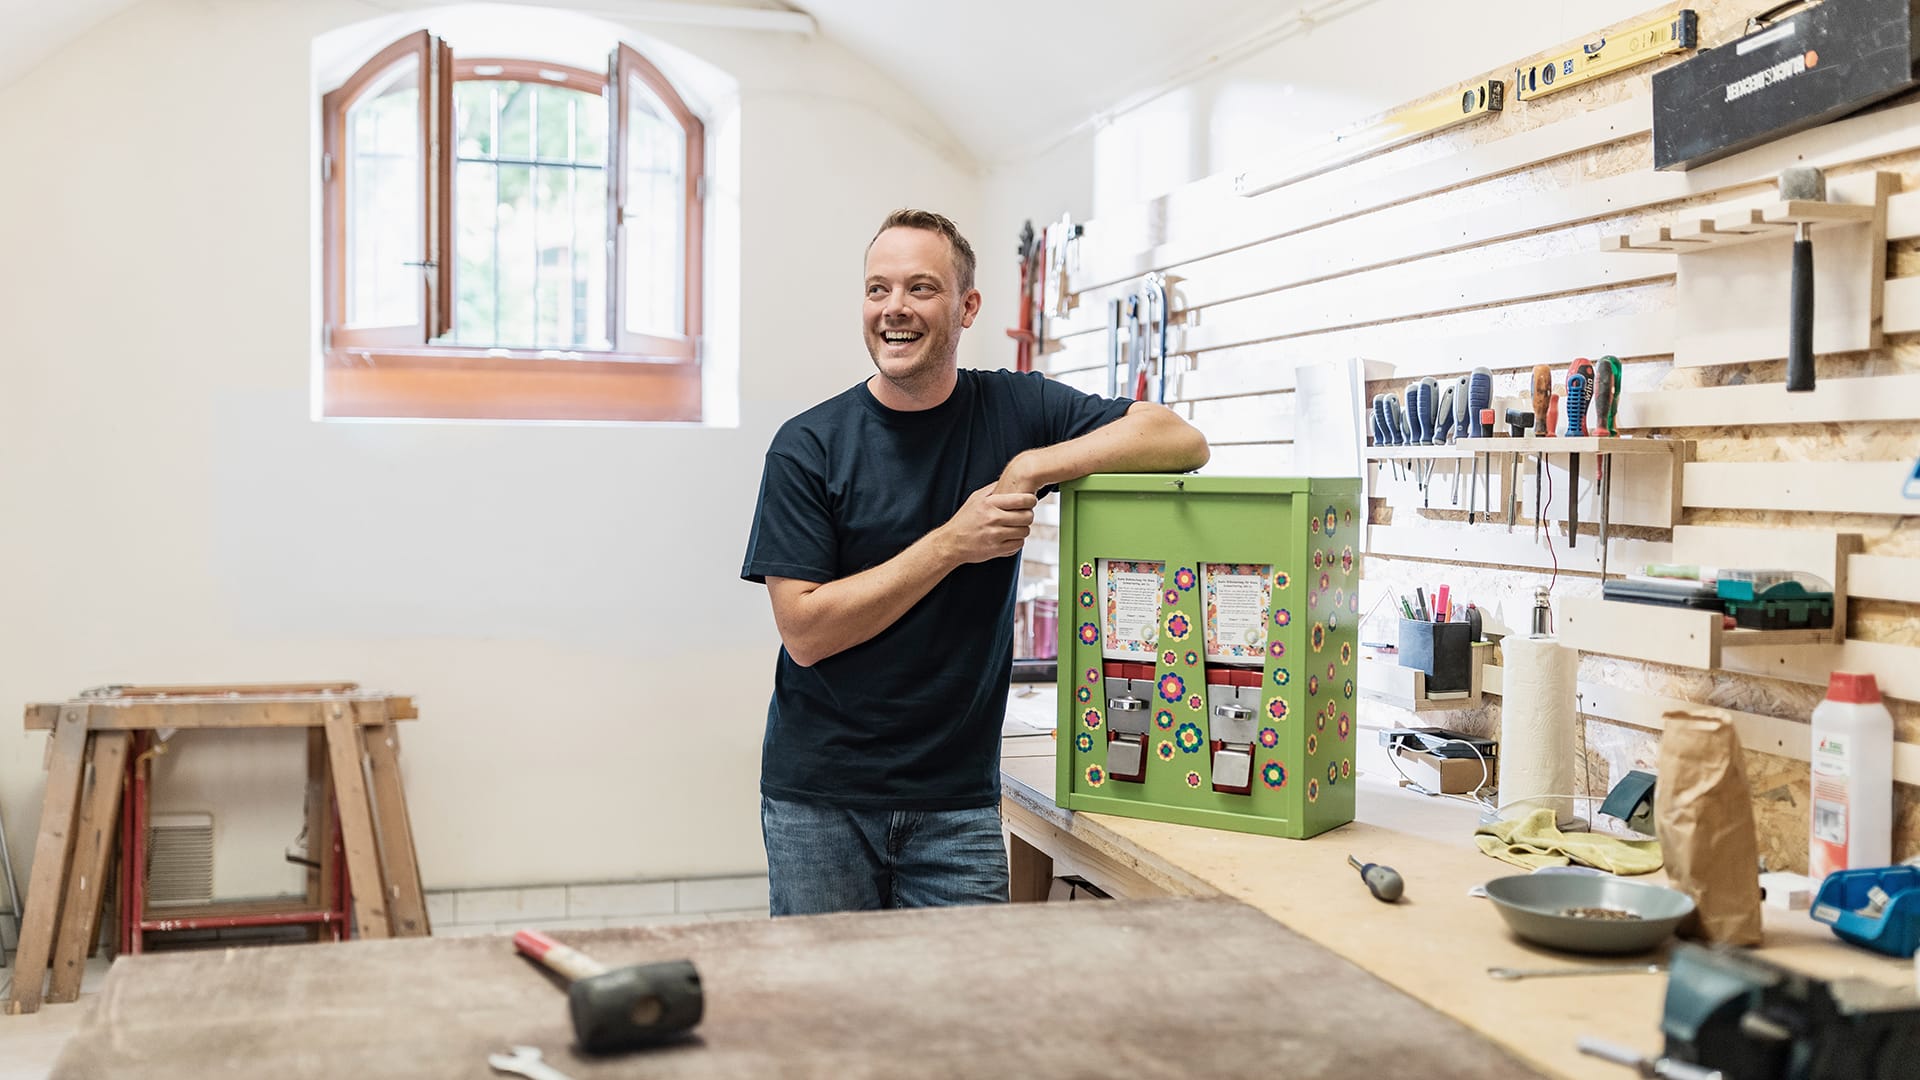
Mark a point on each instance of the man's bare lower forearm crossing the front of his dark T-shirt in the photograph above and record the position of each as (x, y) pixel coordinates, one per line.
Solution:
(844, 614)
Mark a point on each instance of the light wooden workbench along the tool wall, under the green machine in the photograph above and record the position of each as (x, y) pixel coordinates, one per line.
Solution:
(1435, 945)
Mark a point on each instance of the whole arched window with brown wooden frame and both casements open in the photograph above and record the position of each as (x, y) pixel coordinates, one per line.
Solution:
(512, 239)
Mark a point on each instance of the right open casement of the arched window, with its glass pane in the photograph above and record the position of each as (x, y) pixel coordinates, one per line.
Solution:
(654, 214)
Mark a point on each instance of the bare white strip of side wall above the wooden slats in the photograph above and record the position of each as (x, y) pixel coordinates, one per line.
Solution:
(1358, 62)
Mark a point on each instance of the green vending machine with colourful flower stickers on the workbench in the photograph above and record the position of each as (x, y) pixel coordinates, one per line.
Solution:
(1207, 650)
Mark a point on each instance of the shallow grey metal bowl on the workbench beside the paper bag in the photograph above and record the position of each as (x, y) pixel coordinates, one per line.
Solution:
(1535, 908)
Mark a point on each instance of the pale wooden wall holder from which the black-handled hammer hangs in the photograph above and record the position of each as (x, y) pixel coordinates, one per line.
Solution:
(1733, 287)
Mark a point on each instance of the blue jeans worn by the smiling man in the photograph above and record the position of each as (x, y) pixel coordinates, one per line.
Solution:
(861, 860)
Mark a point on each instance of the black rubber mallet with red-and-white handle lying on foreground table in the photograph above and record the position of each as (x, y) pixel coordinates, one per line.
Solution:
(625, 1008)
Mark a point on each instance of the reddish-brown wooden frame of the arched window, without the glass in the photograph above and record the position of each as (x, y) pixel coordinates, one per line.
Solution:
(400, 374)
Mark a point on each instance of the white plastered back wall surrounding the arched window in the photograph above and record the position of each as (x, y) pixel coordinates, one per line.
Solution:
(564, 601)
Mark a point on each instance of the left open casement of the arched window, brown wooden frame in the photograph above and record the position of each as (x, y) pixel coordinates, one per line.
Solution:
(389, 209)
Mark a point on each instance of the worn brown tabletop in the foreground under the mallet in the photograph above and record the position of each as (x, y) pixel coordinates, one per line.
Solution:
(1149, 991)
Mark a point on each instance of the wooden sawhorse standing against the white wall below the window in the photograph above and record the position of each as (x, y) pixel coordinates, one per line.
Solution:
(354, 754)
